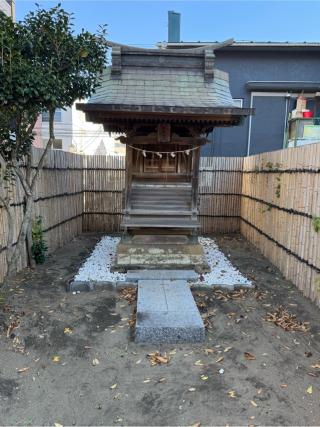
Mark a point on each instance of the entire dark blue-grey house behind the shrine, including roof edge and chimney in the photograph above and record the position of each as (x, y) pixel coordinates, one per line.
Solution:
(267, 76)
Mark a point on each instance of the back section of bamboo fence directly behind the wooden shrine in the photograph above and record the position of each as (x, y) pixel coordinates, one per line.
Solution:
(219, 193)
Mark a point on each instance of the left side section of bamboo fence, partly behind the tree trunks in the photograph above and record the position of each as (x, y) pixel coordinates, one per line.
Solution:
(58, 200)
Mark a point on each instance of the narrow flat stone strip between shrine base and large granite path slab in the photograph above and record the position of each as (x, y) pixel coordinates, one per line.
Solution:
(162, 275)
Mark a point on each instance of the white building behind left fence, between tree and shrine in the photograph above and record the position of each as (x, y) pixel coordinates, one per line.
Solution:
(74, 133)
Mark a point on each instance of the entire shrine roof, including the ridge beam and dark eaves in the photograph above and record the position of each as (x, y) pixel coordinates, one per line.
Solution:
(175, 82)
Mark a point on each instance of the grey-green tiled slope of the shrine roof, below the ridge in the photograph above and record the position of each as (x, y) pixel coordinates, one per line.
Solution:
(164, 87)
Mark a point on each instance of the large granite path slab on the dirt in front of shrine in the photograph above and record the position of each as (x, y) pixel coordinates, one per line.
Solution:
(167, 313)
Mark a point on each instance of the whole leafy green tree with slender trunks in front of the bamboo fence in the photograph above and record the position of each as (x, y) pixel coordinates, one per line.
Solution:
(44, 65)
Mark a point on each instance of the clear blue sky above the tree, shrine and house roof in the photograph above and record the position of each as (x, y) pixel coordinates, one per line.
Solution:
(144, 23)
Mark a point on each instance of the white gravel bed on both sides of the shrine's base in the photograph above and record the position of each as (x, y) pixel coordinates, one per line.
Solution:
(97, 265)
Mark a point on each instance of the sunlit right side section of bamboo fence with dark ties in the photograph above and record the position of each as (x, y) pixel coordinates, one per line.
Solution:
(280, 199)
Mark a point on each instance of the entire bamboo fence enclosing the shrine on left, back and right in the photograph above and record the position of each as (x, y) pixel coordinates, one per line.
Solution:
(271, 198)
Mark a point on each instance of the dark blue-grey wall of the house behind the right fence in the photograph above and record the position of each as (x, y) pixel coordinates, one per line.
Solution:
(285, 65)
